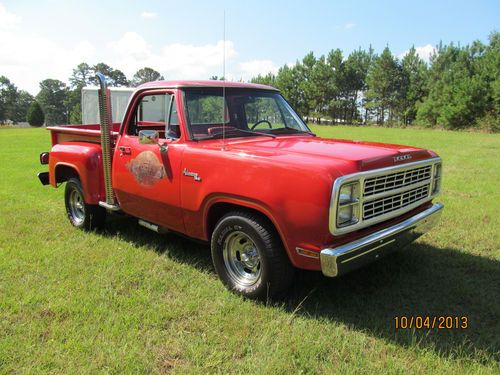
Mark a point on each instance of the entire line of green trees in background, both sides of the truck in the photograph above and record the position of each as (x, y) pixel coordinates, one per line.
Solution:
(459, 88)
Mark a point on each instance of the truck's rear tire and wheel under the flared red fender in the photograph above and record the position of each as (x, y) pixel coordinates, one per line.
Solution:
(80, 214)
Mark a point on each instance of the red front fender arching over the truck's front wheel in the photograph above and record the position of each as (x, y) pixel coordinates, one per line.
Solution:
(294, 196)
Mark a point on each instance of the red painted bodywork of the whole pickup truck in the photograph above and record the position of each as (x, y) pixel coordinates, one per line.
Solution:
(288, 178)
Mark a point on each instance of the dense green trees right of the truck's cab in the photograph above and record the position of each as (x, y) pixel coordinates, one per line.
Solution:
(459, 88)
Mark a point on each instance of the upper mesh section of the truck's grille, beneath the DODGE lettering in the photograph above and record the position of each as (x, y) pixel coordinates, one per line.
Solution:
(380, 184)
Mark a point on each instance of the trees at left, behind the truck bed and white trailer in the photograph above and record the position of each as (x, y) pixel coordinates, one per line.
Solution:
(57, 102)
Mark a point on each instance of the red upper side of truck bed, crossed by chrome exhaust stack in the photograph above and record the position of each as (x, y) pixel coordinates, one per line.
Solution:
(80, 133)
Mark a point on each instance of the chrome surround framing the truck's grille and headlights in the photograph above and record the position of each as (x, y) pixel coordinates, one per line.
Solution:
(361, 176)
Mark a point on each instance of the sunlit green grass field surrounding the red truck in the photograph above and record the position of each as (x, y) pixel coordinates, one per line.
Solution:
(129, 300)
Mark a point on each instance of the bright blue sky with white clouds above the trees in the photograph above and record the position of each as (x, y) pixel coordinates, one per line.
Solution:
(184, 39)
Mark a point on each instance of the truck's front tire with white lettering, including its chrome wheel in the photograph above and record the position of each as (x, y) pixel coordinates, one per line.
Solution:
(251, 236)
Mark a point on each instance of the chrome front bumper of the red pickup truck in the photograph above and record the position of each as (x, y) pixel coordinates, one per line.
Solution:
(340, 260)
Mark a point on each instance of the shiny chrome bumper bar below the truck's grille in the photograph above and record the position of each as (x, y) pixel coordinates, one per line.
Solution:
(418, 225)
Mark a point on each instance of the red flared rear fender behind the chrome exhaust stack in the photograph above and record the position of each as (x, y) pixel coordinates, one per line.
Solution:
(85, 159)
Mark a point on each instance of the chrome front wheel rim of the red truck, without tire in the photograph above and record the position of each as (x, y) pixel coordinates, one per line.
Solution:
(242, 259)
